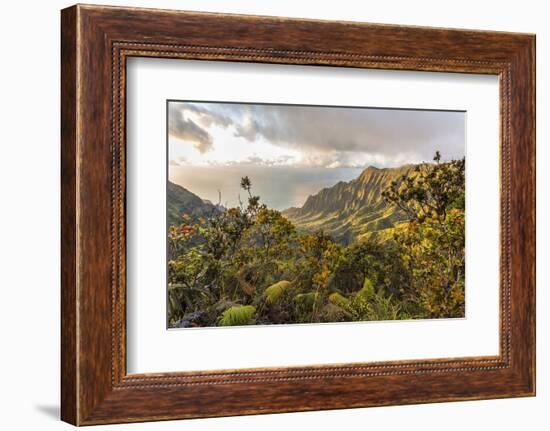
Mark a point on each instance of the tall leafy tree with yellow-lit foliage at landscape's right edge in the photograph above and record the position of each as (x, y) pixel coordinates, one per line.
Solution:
(432, 243)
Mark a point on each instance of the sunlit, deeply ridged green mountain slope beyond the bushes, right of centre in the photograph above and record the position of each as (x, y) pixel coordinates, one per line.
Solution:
(352, 210)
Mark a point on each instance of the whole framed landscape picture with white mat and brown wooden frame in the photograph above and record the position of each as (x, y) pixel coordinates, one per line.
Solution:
(263, 215)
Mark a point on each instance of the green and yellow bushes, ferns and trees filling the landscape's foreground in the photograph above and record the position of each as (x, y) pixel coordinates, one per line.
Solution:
(250, 264)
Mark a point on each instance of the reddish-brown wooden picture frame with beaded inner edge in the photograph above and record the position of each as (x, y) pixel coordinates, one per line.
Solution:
(95, 43)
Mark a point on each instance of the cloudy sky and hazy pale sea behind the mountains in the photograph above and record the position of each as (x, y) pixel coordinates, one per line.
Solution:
(292, 151)
